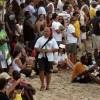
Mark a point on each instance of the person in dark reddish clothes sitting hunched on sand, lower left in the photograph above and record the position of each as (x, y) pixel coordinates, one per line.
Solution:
(23, 88)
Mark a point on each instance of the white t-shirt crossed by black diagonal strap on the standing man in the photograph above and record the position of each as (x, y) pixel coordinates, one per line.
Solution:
(52, 44)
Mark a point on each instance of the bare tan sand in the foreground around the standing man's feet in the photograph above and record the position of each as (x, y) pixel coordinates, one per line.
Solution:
(62, 89)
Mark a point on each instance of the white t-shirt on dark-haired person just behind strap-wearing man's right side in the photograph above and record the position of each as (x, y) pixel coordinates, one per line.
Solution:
(55, 26)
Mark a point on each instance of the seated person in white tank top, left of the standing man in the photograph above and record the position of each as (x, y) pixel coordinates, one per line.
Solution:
(19, 62)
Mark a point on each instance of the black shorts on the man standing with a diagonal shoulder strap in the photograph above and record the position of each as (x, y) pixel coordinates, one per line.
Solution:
(45, 66)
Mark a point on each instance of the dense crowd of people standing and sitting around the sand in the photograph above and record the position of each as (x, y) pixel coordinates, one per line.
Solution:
(38, 35)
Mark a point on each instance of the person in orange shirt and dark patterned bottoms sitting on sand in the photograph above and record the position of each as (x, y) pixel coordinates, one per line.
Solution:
(82, 74)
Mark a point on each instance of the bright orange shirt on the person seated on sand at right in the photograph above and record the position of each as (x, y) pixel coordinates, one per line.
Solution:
(78, 69)
